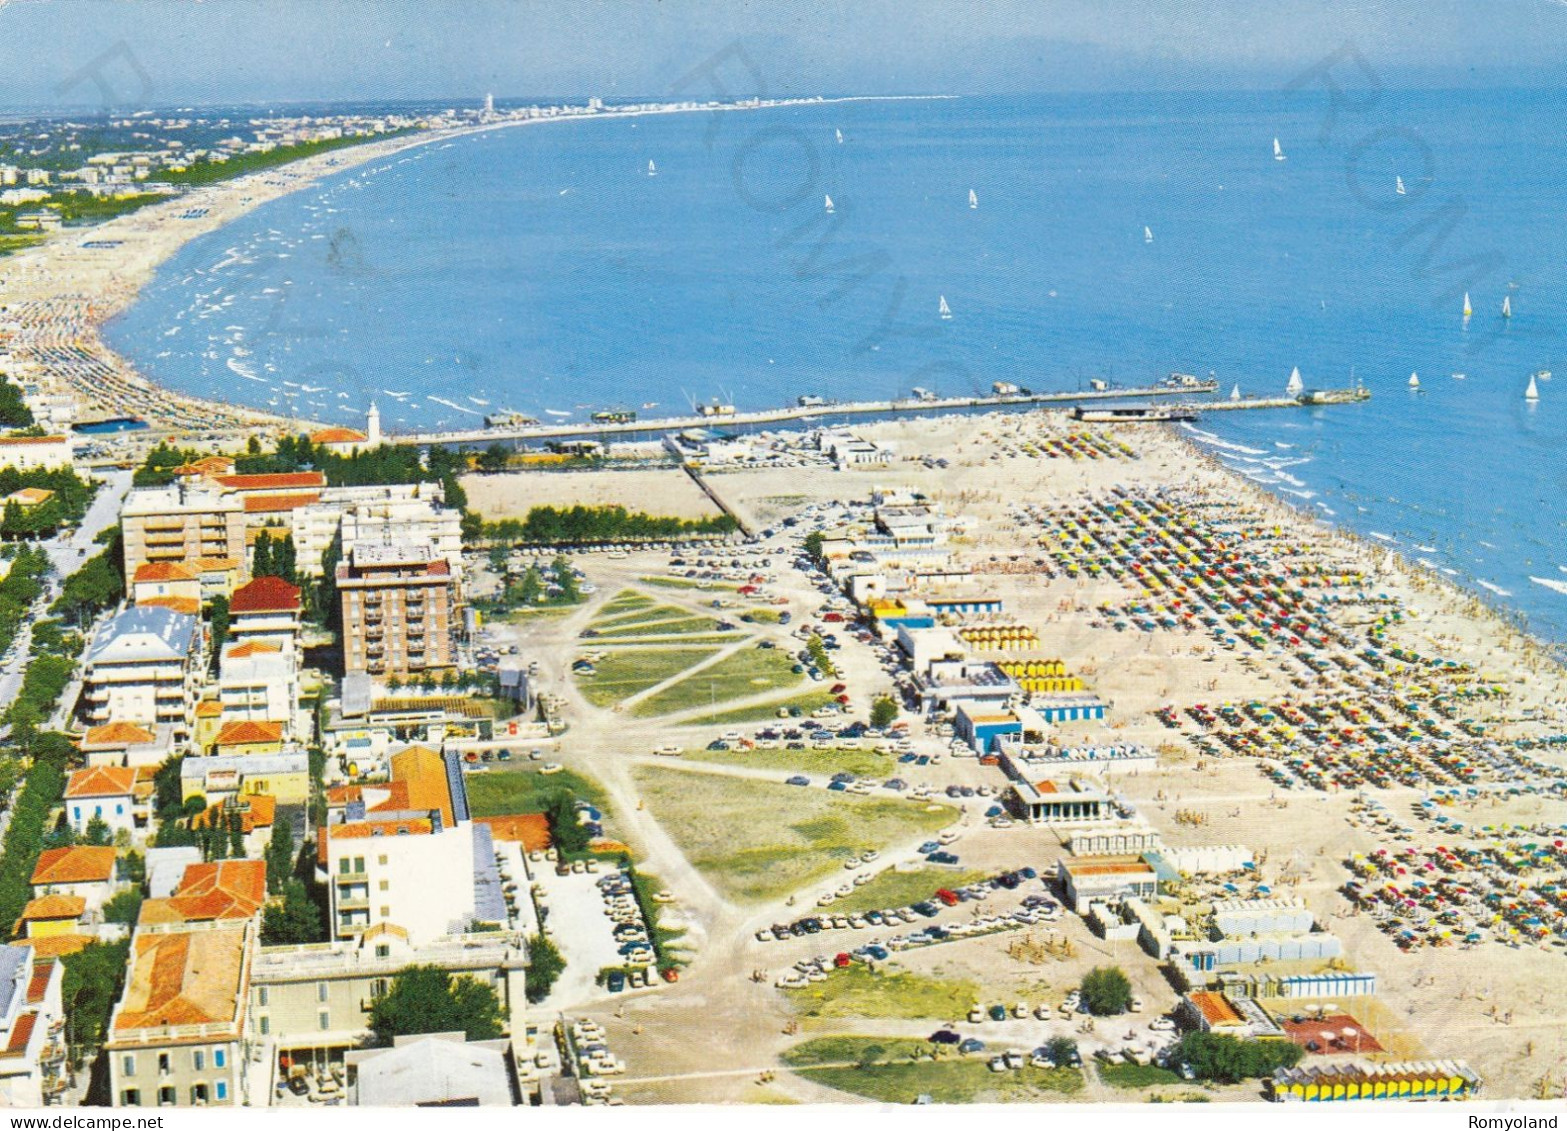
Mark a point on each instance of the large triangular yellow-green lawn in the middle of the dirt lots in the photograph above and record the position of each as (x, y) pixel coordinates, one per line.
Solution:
(758, 842)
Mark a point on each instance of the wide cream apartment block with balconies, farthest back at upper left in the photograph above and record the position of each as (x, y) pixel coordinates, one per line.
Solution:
(181, 524)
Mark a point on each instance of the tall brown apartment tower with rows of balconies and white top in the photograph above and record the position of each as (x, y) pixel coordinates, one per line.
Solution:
(400, 610)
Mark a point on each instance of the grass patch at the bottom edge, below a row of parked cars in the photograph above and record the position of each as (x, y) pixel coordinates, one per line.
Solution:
(892, 1077)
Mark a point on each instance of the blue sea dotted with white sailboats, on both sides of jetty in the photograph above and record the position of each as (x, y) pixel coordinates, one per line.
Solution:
(545, 270)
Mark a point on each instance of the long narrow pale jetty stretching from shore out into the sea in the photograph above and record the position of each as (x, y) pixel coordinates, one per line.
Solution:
(540, 432)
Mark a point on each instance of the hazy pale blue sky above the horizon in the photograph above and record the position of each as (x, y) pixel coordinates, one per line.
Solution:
(179, 52)
